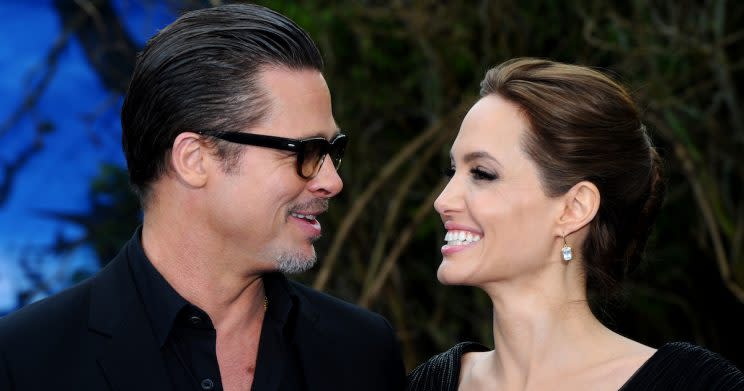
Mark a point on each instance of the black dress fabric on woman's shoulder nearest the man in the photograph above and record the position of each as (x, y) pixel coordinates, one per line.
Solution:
(442, 371)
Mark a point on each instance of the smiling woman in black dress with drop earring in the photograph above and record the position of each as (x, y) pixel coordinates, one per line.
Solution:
(554, 187)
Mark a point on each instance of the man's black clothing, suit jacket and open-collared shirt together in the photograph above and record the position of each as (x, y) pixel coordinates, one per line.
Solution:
(99, 335)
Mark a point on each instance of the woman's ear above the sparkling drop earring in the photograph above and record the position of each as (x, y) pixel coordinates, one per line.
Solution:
(581, 204)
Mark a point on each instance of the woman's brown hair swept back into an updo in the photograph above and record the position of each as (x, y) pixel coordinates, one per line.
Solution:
(584, 126)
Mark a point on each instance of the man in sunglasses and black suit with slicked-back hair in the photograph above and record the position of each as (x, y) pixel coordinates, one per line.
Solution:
(232, 148)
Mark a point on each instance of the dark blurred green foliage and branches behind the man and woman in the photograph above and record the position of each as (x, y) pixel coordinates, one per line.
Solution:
(402, 75)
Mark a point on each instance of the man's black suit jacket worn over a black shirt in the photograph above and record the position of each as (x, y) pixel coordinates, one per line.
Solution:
(97, 336)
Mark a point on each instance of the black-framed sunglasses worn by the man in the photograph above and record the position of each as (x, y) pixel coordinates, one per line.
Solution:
(310, 152)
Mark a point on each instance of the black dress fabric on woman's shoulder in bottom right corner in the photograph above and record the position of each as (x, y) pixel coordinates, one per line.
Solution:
(684, 366)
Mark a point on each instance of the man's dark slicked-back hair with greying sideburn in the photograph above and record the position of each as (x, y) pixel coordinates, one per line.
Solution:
(201, 73)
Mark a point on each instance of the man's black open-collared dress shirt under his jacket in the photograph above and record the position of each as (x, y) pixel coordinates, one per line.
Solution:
(187, 336)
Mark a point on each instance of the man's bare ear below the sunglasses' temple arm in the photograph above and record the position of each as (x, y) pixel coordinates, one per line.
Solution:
(188, 160)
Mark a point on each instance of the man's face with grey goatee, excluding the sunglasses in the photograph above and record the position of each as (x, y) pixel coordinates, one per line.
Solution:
(263, 208)
